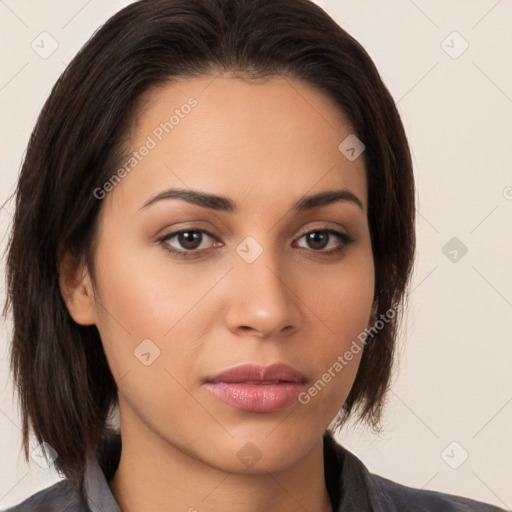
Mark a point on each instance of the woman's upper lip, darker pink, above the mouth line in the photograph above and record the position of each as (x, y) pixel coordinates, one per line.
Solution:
(256, 373)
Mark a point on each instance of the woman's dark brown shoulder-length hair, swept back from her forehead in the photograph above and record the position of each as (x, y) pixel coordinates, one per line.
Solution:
(66, 389)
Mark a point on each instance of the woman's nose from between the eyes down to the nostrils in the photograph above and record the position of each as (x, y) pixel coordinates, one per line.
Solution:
(262, 300)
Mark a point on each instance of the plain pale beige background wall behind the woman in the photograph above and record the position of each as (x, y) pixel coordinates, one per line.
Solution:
(456, 352)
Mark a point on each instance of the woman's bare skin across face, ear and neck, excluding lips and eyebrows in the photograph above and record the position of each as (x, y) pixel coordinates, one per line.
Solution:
(263, 144)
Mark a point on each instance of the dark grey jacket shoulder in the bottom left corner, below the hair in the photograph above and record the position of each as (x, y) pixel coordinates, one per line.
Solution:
(59, 497)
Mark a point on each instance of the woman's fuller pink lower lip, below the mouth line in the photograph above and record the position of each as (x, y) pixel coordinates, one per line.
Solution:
(257, 397)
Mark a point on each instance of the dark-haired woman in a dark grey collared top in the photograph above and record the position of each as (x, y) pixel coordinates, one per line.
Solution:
(214, 231)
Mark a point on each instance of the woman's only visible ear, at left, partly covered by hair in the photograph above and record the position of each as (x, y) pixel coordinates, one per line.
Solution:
(76, 290)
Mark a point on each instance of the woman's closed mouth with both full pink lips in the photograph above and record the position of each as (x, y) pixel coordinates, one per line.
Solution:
(257, 388)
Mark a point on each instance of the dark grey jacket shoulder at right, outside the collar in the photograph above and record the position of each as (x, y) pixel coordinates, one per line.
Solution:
(402, 497)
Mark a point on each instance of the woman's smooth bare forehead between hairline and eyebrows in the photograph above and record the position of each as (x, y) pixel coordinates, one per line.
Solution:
(275, 138)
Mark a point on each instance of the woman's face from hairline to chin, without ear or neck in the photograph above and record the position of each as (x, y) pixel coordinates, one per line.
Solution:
(254, 279)
